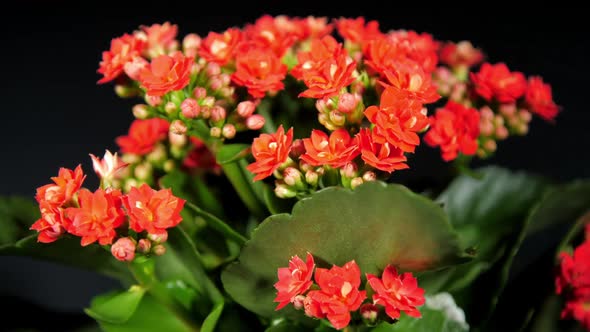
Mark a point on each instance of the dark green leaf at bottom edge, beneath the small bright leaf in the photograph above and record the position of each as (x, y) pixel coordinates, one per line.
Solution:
(149, 315)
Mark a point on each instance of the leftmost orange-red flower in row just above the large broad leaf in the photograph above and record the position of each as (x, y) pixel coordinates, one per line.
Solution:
(270, 152)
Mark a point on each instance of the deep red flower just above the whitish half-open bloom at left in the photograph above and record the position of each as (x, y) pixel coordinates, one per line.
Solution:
(143, 136)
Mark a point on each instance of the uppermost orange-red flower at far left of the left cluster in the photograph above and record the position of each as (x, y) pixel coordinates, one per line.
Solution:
(64, 186)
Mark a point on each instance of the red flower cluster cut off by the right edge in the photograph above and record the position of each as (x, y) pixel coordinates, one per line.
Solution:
(573, 281)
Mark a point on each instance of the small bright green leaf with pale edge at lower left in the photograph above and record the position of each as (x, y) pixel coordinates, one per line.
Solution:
(116, 307)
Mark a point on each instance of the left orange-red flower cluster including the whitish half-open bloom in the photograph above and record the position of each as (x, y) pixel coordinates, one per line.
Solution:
(137, 220)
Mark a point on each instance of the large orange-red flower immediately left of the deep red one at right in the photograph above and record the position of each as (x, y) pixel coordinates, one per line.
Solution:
(397, 120)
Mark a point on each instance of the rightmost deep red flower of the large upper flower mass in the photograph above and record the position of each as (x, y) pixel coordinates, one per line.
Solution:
(539, 98)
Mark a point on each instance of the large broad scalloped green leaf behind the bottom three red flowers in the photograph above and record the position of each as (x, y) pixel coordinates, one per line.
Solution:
(376, 225)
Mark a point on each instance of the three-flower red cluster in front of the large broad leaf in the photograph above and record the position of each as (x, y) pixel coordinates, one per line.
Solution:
(335, 293)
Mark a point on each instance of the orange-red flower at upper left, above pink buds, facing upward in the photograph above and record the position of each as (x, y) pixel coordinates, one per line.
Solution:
(166, 73)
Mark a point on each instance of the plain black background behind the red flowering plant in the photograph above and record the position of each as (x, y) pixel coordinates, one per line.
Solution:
(54, 114)
